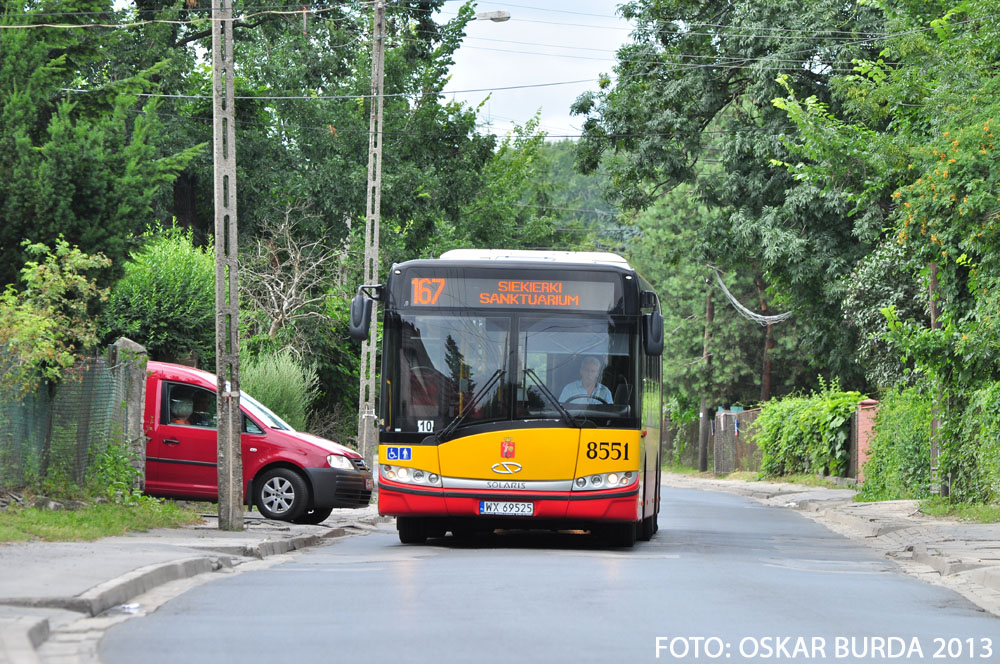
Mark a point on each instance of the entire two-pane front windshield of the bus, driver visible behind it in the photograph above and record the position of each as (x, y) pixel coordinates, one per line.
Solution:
(442, 365)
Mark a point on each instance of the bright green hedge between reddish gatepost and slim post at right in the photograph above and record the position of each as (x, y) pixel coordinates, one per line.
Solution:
(899, 463)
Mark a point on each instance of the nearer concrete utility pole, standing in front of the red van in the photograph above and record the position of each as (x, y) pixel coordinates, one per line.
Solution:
(227, 344)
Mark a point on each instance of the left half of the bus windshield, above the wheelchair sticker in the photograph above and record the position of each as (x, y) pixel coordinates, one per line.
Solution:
(443, 363)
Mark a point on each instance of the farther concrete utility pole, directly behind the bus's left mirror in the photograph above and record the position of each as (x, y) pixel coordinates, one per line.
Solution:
(367, 434)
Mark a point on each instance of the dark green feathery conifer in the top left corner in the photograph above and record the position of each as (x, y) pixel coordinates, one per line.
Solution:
(87, 167)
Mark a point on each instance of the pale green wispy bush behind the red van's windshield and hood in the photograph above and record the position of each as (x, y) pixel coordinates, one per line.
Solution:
(283, 384)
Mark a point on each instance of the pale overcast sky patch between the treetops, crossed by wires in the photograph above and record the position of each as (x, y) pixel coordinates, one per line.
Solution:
(543, 42)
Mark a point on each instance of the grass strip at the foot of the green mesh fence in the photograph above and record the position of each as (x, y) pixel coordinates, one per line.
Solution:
(91, 522)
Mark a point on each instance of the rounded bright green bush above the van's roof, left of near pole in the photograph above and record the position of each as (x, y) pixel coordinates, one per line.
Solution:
(166, 299)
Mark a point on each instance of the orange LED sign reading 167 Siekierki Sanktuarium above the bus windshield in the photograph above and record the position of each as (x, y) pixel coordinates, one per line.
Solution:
(519, 293)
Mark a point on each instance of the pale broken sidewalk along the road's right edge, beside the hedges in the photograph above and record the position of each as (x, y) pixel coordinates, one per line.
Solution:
(958, 555)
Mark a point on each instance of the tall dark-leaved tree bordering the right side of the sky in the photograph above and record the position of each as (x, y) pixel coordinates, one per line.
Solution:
(694, 87)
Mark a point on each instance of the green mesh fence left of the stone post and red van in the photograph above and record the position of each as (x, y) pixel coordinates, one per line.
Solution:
(56, 433)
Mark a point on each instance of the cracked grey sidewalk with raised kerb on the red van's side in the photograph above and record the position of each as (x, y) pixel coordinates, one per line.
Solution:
(47, 585)
